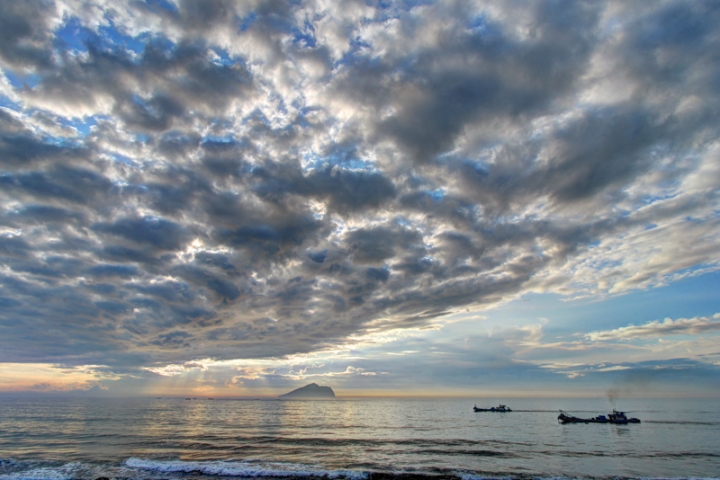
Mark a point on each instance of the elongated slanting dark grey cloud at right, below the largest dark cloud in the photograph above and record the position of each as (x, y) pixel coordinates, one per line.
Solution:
(618, 144)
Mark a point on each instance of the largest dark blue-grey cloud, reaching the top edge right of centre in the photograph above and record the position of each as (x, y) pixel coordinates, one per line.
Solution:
(482, 74)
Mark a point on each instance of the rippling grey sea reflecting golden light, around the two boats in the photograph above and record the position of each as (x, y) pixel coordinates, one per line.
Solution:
(57, 438)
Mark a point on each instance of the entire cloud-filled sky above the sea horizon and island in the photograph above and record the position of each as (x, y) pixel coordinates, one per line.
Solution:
(471, 198)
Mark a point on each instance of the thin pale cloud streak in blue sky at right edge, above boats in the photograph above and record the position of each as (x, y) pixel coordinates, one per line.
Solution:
(681, 326)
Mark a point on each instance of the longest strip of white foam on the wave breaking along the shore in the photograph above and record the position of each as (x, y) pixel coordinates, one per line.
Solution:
(242, 469)
